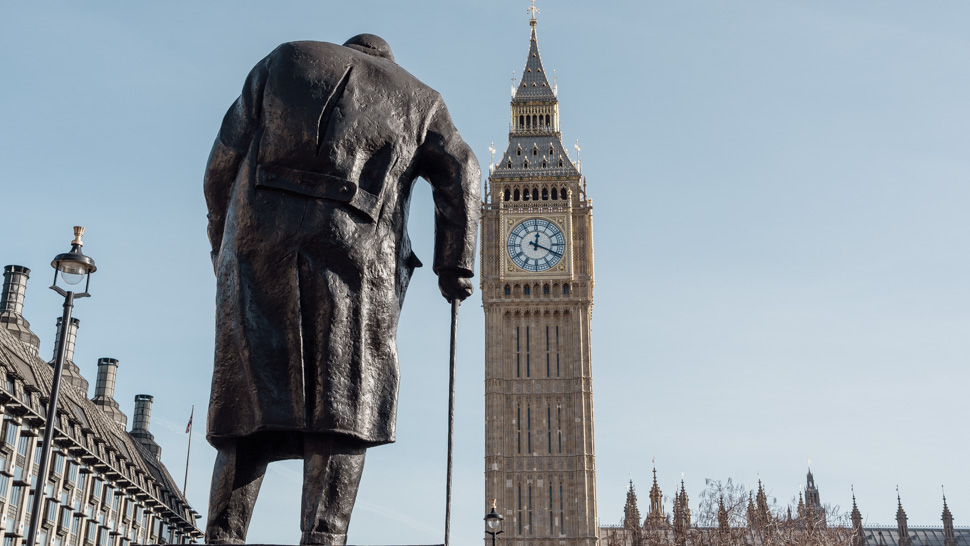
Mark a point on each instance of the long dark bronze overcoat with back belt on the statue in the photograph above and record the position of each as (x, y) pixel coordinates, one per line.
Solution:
(308, 187)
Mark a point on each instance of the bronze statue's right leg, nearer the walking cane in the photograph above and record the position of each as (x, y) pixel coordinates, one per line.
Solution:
(332, 466)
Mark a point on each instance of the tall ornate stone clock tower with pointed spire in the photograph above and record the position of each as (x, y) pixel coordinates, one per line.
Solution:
(537, 291)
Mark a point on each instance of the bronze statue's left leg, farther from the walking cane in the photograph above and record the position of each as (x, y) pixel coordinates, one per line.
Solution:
(238, 473)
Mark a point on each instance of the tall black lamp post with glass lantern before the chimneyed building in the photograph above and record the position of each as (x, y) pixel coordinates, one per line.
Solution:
(73, 267)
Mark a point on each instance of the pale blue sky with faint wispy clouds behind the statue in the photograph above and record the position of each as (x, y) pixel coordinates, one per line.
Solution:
(781, 211)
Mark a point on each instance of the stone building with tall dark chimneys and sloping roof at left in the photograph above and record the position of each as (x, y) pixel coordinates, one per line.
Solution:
(107, 486)
